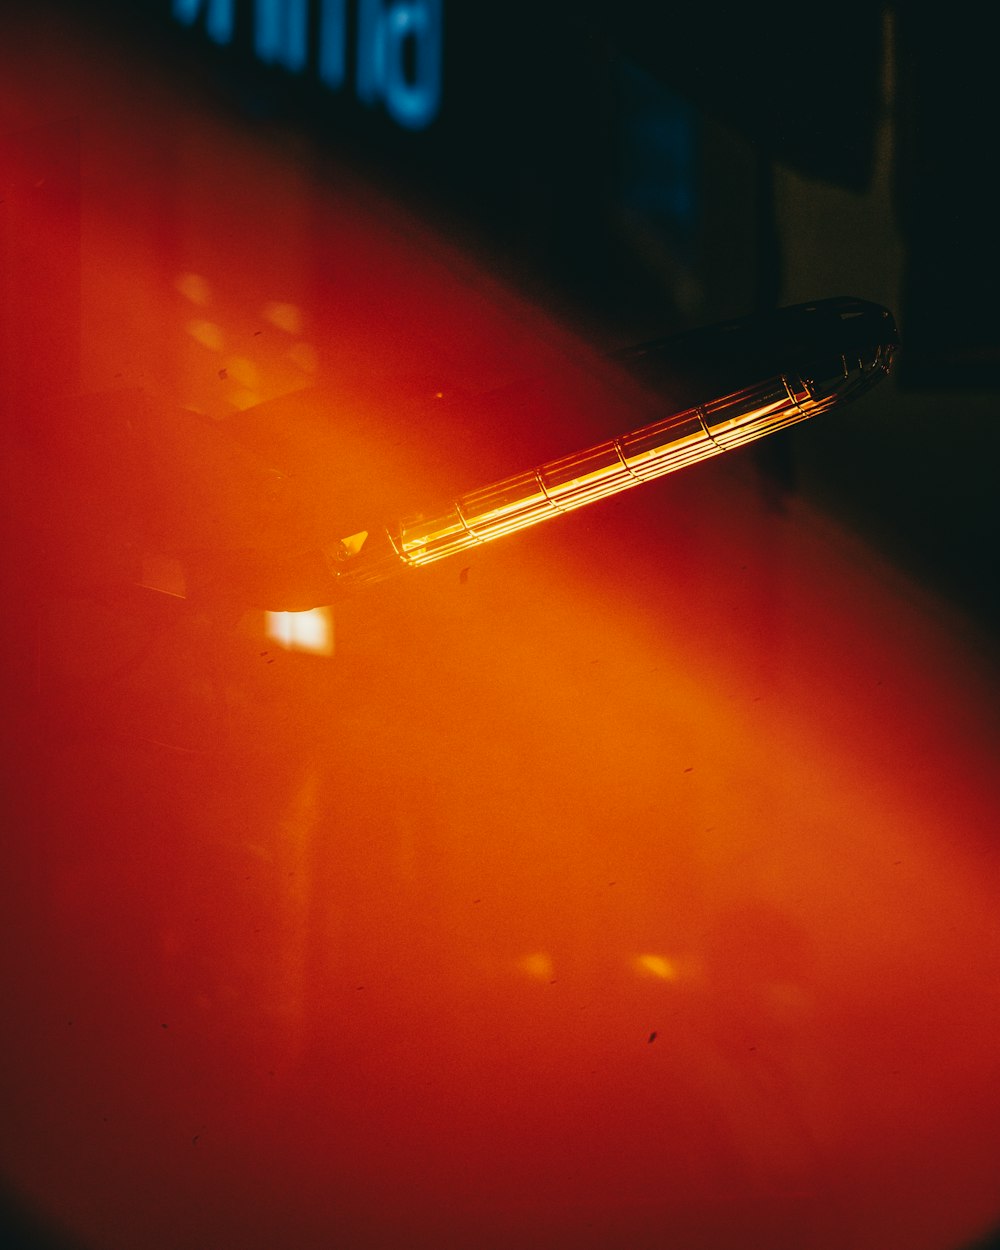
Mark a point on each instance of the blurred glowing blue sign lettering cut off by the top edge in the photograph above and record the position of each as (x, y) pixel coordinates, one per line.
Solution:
(388, 52)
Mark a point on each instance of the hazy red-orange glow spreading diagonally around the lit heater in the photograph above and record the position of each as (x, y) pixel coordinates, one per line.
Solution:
(631, 883)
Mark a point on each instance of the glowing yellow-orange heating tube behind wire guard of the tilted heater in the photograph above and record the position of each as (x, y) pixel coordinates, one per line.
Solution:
(652, 452)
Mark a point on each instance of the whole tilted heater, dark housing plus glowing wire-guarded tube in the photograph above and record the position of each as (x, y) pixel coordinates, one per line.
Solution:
(744, 379)
